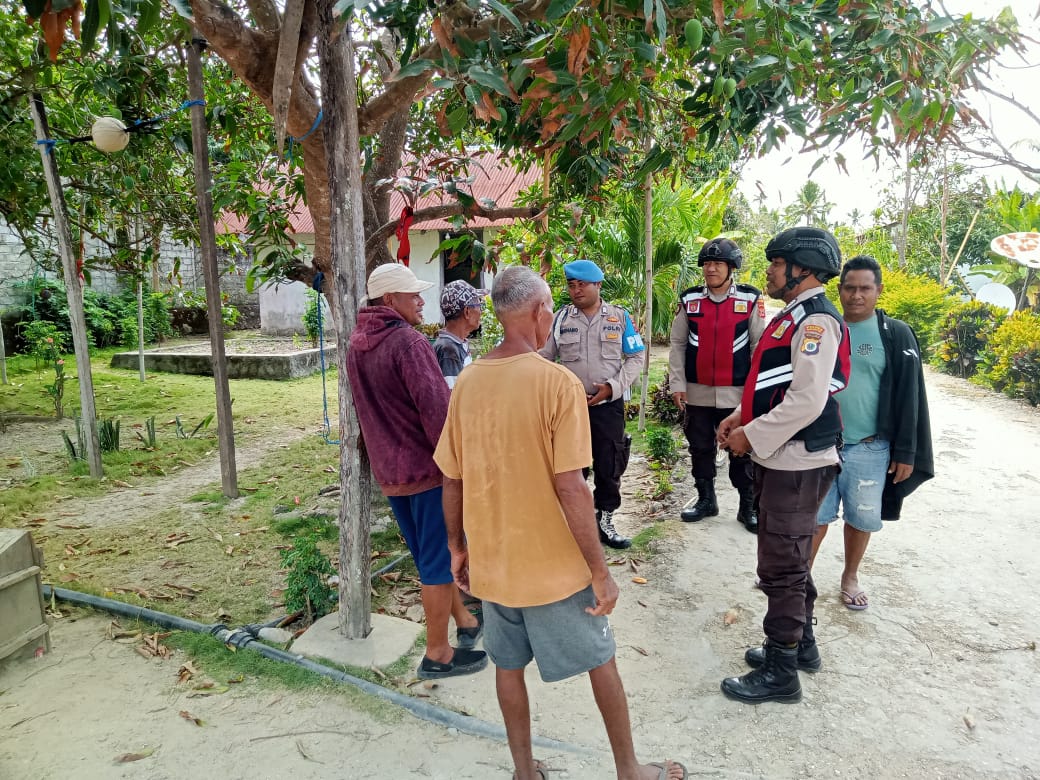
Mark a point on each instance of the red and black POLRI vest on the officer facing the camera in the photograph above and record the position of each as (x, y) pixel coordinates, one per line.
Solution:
(719, 348)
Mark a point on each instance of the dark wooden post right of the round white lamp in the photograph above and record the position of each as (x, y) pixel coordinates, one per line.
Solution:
(207, 240)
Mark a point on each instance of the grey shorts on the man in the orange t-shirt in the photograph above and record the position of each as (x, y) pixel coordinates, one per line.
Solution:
(562, 637)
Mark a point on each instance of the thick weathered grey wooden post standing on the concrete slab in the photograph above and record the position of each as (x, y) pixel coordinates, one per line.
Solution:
(340, 102)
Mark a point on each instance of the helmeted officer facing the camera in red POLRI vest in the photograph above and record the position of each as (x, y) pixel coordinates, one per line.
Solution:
(714, 335)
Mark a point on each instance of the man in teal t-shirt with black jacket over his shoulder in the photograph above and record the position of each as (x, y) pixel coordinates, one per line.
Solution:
(888, 440)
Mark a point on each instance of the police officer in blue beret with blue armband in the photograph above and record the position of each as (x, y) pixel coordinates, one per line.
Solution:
(600, 344)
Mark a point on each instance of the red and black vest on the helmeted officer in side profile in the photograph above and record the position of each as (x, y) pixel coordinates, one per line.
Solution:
(772, 373)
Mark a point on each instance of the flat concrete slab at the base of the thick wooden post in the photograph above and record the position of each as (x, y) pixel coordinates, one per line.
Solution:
(392, 639)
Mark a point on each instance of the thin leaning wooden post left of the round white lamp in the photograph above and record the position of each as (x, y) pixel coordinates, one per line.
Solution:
(74, 289)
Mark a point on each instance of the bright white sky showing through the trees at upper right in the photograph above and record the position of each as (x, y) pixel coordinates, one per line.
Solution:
(783, 173)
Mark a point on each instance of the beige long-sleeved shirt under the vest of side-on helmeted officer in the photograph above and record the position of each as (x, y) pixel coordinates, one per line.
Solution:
(813, 359)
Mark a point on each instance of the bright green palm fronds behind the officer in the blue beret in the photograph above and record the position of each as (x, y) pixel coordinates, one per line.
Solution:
(683, 220)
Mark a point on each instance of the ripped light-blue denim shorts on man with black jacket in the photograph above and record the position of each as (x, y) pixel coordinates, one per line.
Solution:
(859, 487)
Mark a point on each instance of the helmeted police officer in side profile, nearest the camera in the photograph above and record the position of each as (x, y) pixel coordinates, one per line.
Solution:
(789, 422)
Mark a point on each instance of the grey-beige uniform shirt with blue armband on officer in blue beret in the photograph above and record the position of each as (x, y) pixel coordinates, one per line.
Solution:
(605, 349)
